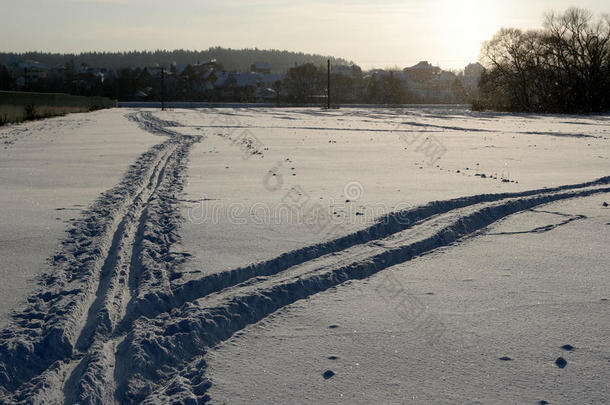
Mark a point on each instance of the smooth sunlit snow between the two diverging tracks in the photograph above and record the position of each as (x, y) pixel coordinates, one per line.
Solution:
(233, 199)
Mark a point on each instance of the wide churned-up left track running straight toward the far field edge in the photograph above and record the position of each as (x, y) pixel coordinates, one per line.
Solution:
(65, 336)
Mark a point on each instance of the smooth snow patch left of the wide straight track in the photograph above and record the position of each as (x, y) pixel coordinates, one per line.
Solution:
(50, 171)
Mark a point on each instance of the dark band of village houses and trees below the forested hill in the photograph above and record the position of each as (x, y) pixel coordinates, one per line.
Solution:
(303, 84)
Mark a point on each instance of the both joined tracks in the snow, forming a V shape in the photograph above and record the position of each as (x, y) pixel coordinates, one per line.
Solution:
(113, 323)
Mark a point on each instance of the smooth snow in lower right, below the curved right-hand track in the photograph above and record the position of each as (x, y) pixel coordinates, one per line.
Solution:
(482, 321)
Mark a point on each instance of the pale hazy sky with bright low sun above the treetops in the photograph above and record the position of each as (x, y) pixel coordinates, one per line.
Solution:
(372, 34)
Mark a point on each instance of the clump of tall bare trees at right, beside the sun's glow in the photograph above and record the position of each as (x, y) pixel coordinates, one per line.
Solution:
(563, 67)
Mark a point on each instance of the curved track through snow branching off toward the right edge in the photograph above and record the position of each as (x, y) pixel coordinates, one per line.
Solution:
(163, 353)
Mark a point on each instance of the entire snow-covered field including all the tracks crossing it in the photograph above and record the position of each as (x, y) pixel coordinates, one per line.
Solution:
(298, 255)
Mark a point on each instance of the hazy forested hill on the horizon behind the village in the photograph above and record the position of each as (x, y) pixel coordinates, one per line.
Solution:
(230, 59)
